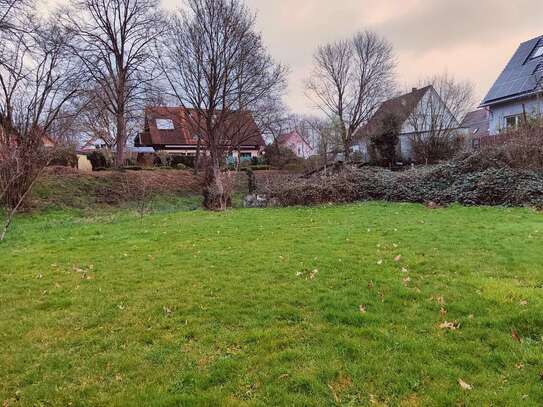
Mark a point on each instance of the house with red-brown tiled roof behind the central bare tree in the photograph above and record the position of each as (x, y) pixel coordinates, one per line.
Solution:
(175, 130)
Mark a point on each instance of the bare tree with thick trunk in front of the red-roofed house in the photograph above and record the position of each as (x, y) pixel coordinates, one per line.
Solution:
(217, 65)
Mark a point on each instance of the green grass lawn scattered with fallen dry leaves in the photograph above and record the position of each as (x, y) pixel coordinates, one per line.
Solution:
(298, 306)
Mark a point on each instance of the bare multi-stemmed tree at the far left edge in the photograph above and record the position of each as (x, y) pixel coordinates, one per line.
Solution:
(37, 81)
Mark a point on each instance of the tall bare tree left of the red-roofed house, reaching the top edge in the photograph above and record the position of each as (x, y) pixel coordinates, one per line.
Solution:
(114, 40)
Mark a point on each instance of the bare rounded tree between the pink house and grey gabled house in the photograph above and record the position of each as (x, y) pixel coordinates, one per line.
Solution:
(350, 79)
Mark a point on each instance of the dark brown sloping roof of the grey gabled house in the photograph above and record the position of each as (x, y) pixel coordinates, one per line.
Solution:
(402, 107)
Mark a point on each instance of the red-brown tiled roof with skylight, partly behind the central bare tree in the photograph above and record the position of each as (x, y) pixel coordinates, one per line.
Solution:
(184, 130)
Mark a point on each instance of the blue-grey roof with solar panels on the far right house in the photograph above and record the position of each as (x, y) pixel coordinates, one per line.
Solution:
(518, 79)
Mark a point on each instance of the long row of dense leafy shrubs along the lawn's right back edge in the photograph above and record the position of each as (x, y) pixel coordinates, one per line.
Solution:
(471, 180)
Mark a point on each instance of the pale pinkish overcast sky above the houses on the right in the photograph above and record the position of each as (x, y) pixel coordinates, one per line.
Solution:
(470, 39)
